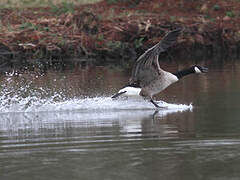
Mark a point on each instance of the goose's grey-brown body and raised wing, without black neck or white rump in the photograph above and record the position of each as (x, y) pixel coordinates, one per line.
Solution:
(147, 73)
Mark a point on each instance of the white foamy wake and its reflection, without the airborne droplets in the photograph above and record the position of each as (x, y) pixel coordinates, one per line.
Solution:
(88, 112)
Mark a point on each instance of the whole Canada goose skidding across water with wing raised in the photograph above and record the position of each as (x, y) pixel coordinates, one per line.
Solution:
(148, 78)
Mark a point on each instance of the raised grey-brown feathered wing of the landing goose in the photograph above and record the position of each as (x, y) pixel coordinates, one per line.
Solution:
(146, 68)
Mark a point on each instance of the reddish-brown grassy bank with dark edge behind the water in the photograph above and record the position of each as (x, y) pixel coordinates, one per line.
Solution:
(44, 33)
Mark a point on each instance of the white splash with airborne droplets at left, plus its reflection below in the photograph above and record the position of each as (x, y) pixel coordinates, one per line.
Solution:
(26, 104)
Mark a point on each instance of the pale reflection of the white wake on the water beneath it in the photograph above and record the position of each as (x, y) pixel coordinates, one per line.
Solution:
(126, 122)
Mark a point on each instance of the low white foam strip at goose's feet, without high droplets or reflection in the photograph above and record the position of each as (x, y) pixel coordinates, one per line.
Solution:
(53, 104)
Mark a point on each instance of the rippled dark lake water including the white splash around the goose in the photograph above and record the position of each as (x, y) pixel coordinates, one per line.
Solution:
(64, 125)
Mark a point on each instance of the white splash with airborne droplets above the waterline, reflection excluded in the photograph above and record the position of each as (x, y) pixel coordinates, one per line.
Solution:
(24, 93)
